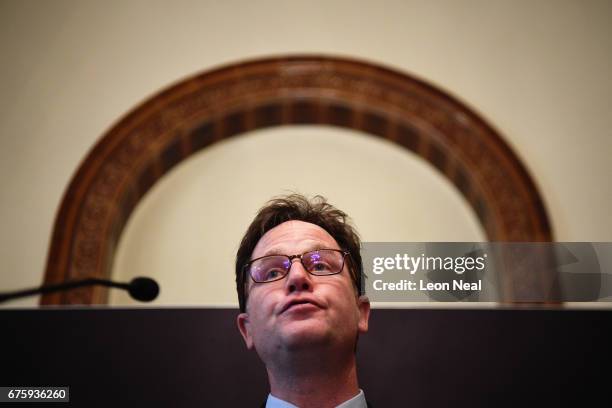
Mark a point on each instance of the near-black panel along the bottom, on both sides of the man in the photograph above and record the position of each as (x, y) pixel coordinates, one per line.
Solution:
(410, 358)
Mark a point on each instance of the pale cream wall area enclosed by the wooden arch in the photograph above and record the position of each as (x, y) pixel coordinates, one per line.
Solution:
(189, 226)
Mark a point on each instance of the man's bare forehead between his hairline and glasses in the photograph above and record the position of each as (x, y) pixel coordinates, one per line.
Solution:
(293, 237)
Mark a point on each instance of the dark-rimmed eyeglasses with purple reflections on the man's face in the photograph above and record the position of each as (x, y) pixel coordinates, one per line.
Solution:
(320, 262)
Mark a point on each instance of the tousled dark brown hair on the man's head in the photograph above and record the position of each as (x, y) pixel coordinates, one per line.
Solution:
(295, 207)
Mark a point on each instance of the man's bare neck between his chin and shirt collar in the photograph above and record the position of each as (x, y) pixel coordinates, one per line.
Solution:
(314, 379)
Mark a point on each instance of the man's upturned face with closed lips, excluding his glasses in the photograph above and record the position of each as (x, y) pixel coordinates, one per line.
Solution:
(301, 309)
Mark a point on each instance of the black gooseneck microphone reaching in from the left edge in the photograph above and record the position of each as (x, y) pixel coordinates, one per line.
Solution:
(143, 289)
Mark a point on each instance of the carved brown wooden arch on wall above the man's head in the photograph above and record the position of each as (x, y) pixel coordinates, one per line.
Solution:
(218, 104)
